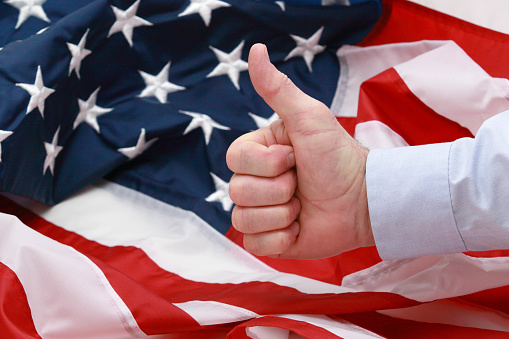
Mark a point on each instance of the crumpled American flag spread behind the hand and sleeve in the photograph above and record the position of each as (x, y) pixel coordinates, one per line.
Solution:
(148, 95)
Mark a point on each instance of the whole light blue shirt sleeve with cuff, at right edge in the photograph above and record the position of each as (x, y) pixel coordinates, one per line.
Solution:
(442, 198)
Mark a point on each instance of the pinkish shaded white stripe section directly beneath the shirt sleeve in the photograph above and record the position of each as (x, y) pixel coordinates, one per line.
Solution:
(432, 277)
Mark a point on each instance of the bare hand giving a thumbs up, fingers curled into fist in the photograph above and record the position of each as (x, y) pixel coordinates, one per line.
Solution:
(299, 184)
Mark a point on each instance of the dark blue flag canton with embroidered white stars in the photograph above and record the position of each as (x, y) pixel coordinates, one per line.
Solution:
(150, 93)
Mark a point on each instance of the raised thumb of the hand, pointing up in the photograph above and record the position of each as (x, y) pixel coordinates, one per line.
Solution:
(301, 114)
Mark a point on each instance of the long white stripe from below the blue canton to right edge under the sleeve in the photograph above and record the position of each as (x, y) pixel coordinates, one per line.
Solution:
(113, 215)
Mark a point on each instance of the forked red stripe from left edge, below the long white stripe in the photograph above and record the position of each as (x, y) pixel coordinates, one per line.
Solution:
(148, 290)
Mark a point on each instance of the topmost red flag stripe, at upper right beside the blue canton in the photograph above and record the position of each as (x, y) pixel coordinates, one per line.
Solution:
(404, 21)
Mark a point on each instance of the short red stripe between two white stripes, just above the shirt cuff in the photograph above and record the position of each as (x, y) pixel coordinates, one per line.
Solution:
(387, 98)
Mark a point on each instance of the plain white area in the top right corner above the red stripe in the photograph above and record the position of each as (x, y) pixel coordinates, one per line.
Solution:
(486, 13)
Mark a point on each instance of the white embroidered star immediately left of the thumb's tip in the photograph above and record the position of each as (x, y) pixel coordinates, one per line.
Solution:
(230, 64)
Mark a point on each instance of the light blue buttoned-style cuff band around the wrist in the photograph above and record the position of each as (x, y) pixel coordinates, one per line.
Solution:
(410, 202)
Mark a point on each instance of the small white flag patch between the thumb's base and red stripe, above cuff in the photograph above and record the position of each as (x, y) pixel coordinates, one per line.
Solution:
(376, 134)
